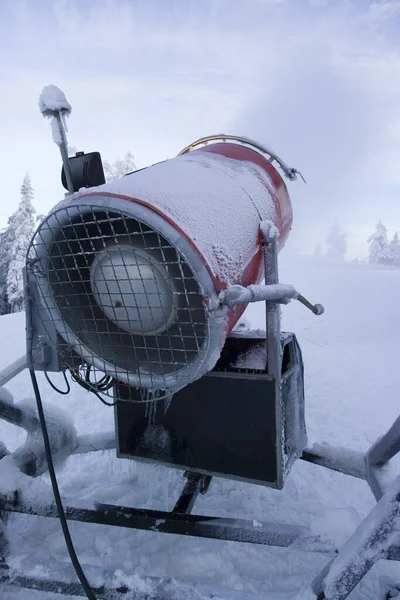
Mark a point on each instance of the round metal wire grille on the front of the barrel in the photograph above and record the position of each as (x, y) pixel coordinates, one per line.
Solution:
(121, 296)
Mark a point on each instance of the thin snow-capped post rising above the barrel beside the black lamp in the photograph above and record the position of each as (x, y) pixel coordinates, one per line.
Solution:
(53, 104)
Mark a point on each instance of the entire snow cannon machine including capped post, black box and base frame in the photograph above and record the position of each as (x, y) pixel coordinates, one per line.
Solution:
(135, 288)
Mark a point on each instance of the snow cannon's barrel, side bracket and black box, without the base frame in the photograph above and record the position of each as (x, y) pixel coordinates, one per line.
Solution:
(135, 286)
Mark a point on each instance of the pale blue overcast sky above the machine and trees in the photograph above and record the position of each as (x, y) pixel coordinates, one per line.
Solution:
(317, 80)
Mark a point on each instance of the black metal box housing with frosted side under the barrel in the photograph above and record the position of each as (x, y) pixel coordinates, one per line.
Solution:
(230, 423)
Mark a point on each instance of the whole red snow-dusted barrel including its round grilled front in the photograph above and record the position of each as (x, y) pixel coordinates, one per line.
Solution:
(143, 259)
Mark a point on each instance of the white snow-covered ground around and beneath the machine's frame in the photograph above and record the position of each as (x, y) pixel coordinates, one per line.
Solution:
(352, 380)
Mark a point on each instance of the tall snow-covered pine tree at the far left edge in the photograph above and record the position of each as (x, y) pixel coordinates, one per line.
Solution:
(23, 226)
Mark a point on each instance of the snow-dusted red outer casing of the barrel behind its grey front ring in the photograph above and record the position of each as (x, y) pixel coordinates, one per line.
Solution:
(215, 196)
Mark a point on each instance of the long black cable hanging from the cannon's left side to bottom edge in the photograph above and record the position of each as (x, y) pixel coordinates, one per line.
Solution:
(60, 509)
